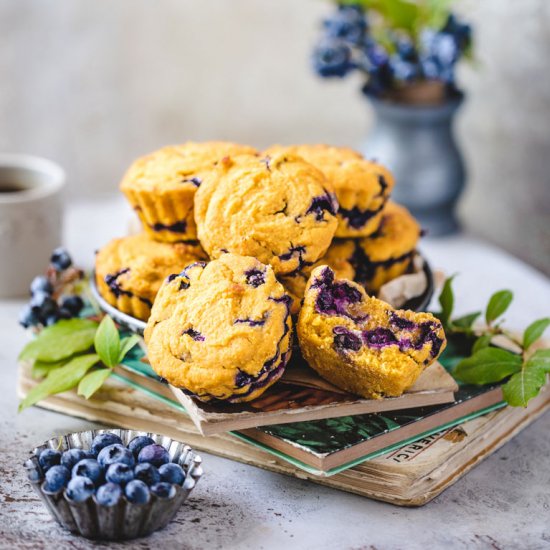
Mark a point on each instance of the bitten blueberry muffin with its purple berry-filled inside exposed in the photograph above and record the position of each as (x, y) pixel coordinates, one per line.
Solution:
(361, 344)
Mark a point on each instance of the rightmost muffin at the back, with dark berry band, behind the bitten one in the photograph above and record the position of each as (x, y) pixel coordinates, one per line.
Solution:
(388, 253)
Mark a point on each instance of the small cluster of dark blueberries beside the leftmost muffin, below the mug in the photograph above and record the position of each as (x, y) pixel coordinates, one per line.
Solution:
(46, 305)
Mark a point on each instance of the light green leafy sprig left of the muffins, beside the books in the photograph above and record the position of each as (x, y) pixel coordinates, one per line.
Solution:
(74, 353)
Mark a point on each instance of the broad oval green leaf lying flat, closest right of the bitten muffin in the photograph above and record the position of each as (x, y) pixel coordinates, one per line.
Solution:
(487, 365)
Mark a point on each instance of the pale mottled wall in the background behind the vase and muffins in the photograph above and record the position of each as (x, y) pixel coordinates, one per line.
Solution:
(95, 84)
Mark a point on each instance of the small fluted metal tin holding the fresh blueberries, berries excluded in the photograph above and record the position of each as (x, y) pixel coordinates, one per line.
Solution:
(125, 520)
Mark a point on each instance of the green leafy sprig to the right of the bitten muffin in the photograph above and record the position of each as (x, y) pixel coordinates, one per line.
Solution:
(525, 369)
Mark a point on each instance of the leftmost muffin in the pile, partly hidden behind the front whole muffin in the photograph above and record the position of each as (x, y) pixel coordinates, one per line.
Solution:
(129, 271)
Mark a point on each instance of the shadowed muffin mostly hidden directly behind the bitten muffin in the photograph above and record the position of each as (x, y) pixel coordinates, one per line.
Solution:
(338, 257)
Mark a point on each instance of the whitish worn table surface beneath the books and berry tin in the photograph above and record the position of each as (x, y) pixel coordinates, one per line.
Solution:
(503, 503)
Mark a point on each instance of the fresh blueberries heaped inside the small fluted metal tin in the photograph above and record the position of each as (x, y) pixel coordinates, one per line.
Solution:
(109, 470)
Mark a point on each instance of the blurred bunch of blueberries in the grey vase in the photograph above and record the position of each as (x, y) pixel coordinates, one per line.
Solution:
(348, 44)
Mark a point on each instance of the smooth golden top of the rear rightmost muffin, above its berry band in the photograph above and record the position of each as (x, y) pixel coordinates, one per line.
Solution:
(397, 235)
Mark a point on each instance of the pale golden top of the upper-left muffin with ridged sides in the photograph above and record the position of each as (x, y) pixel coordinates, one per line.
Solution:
(174, 166)
